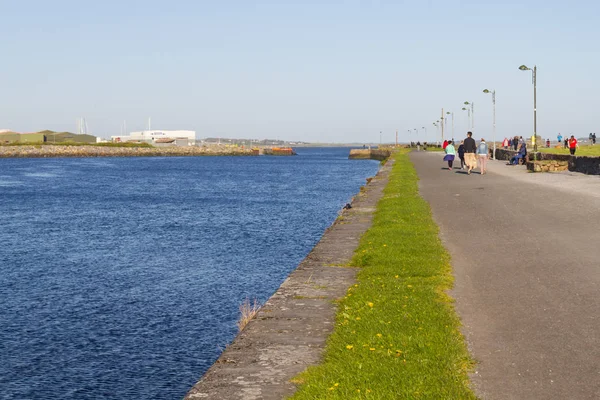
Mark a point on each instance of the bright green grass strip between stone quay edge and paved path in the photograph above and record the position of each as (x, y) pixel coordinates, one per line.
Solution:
(397, 335)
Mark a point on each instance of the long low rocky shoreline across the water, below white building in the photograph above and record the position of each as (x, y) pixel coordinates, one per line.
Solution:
(38, 151)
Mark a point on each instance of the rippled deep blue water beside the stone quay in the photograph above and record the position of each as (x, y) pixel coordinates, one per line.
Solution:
(122, 277)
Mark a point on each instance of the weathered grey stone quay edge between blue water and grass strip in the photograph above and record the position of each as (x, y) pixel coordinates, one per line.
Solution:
(290, 331)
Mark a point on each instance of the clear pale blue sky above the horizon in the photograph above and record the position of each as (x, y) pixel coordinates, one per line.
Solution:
(319, 71)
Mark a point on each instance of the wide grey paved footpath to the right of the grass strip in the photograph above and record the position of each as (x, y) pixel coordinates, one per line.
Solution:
(526, 257)
